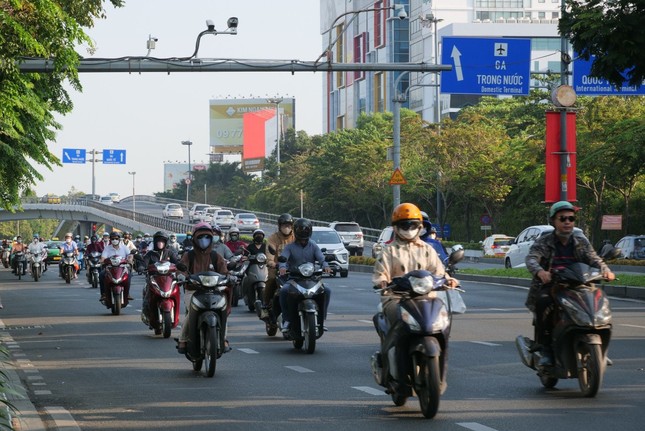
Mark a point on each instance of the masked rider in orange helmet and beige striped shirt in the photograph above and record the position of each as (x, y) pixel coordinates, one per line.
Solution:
(405, 253)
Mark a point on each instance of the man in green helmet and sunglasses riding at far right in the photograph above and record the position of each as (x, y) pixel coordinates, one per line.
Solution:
(559, 248)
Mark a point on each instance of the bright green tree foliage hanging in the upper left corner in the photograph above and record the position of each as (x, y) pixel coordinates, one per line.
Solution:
(43, 29)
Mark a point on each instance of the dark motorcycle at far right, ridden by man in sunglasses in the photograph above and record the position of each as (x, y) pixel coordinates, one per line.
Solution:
(580, 335)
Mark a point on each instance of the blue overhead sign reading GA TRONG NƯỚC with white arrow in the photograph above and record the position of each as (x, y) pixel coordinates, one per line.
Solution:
(486, 66)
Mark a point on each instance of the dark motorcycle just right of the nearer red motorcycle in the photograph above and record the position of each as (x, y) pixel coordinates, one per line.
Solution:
(207, 316)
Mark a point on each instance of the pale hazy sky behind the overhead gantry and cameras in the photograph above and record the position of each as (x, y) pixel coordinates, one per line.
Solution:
(149, 114)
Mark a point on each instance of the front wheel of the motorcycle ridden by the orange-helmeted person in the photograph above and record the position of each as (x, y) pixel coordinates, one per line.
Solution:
(427, 384)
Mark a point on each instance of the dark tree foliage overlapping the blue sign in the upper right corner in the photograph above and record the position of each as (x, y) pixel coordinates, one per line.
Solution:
(613, 31)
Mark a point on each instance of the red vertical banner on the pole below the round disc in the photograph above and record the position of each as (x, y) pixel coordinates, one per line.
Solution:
(554, 181)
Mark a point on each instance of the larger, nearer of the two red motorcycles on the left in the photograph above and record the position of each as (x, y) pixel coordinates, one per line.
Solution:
(160, 310)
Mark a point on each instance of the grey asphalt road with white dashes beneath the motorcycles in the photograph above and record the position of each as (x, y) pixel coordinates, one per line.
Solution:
(112, 373)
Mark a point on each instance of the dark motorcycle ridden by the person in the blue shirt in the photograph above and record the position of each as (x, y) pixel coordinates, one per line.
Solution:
(305, 286)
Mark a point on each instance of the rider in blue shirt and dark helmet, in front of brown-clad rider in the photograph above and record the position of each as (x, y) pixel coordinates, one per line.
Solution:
(302, 250)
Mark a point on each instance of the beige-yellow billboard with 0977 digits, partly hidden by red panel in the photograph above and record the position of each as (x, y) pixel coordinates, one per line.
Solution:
(226, 120)
